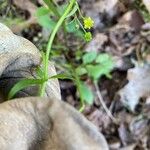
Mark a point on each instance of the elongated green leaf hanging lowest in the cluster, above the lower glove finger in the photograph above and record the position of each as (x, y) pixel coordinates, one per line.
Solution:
(85, 93)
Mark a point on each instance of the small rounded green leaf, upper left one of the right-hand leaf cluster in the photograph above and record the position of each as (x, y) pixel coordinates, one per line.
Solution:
(89, 57)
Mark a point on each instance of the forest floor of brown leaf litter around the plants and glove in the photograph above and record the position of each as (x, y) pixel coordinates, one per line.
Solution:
(121, 29)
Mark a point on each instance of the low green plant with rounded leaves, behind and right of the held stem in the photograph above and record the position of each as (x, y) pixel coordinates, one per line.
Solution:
(93, 65)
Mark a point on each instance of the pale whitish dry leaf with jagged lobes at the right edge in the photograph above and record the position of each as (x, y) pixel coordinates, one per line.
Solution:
(137, 87)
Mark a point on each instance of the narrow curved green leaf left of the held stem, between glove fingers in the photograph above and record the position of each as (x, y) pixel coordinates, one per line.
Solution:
(23, 84)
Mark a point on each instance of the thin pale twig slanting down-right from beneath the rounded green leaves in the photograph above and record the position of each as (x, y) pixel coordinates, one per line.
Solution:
(103, 103)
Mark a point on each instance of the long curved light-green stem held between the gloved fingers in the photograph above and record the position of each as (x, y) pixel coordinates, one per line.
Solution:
(51, 39)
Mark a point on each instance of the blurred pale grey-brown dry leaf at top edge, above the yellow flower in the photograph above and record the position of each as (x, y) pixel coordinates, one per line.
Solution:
(102, 11)
